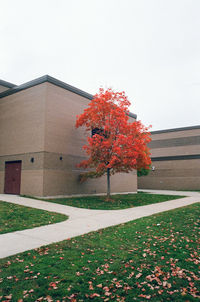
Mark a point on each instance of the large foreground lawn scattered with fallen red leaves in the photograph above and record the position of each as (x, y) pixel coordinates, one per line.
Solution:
(154, 258)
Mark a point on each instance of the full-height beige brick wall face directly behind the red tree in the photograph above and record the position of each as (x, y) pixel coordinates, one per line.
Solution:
(62, 139)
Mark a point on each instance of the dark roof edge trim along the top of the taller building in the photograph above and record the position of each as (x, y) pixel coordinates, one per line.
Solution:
(49, 79)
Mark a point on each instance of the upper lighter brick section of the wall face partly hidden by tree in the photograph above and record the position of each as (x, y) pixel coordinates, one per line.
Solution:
(62, 107)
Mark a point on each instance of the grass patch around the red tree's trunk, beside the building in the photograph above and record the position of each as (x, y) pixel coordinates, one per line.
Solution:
(120, 201)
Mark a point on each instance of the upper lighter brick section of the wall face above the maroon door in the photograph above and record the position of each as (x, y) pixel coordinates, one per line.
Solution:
(22, 121)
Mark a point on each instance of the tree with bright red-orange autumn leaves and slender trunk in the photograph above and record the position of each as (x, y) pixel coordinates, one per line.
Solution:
(116, 144)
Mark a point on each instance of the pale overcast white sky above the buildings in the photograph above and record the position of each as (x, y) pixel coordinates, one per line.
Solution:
(148, 48)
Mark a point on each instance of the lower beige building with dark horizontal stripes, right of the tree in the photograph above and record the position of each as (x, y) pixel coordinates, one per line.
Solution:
(175, 160)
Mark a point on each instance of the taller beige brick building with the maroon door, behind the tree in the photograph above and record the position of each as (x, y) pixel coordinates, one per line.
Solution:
(39, 144)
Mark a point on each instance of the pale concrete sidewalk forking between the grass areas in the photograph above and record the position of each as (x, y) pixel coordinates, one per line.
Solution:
(81, 221)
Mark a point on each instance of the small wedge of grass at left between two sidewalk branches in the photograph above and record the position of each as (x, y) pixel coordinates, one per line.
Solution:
(15, 217)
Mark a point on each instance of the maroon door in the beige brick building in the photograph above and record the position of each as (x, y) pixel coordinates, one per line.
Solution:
(12, 177)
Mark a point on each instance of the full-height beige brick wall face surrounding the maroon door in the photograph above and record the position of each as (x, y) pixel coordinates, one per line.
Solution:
(22, 136)
